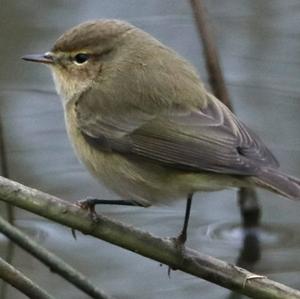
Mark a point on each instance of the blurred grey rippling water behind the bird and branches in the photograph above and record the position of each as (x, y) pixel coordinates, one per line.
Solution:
(259, 46)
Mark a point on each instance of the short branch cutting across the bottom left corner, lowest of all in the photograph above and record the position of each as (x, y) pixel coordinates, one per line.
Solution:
(17, 279)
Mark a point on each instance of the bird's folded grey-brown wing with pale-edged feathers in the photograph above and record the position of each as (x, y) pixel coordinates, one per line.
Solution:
(196, 139)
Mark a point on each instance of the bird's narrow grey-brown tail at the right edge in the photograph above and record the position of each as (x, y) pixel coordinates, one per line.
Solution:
(279, 182)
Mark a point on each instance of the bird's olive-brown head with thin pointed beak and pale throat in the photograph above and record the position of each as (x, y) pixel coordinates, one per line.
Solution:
(78, 56)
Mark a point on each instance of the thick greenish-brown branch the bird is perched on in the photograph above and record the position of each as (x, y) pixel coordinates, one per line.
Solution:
(143, 243)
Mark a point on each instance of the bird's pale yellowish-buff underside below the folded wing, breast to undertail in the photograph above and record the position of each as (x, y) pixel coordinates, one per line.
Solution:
(141, 180)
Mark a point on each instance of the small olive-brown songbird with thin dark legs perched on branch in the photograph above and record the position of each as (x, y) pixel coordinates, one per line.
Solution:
(143, 123)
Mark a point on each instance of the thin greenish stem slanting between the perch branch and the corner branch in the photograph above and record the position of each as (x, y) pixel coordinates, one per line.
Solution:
(55, 263)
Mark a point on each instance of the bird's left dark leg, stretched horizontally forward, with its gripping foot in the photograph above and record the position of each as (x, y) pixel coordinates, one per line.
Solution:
(90, 203)
